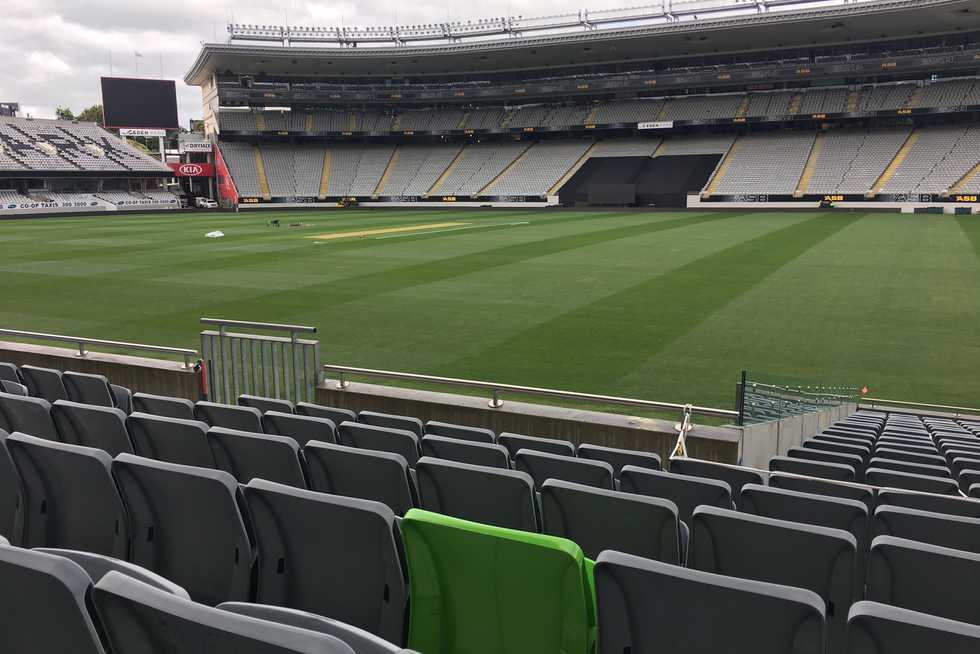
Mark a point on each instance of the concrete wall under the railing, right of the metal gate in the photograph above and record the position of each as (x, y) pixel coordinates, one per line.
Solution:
(578, 426)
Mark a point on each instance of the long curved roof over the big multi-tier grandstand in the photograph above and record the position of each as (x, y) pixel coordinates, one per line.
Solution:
(824, 25)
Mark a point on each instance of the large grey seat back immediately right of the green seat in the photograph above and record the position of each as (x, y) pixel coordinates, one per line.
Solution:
(649, 607)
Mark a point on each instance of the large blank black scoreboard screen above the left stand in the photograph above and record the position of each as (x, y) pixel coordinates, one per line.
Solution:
(139, 103)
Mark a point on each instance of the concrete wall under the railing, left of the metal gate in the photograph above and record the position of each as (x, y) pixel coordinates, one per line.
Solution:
(137, 373)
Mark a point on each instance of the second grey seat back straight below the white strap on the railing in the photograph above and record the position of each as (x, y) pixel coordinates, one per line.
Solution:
(686, 492)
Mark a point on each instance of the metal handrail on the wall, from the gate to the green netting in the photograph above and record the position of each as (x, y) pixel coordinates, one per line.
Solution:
(496, 390)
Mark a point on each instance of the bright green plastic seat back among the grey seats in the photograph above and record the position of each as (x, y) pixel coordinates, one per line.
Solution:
(478, 589)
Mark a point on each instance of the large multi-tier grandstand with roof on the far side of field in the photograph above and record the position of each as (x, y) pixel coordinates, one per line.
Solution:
(791, 104)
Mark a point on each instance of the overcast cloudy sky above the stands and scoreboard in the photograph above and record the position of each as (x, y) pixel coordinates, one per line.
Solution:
(54, 52)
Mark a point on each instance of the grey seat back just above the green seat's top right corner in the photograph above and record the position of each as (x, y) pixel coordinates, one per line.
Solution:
(598, 520)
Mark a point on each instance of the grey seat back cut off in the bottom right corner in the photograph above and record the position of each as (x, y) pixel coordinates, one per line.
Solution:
(874, 628)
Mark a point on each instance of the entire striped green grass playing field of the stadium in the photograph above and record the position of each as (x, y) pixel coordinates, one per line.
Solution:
(667, 306)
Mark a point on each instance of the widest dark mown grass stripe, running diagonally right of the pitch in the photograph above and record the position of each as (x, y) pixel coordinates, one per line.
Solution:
(630, 326)
